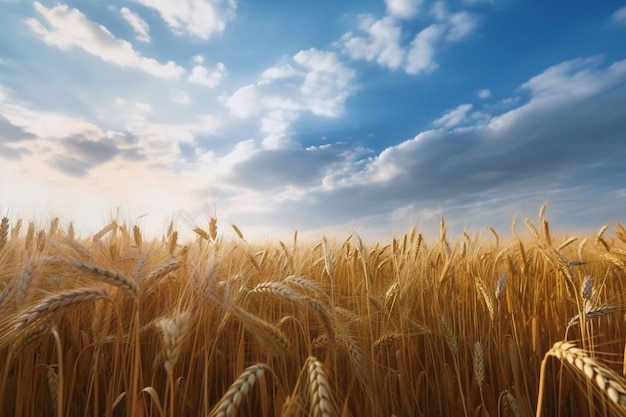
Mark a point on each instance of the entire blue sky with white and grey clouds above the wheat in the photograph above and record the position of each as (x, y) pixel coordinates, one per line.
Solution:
(323, 116)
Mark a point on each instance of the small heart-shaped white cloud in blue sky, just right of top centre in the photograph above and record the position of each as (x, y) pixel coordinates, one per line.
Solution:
(382, 43)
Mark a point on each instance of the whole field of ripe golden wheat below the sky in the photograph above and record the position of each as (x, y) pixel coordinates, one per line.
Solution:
(471, 325)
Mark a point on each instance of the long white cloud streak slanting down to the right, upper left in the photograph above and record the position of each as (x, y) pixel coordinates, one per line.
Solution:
(69, 27)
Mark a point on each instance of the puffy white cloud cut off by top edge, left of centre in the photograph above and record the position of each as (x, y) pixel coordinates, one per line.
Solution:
(200, 18)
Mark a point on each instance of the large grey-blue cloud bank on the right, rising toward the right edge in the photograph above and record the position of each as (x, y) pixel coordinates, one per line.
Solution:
(578, 135)
